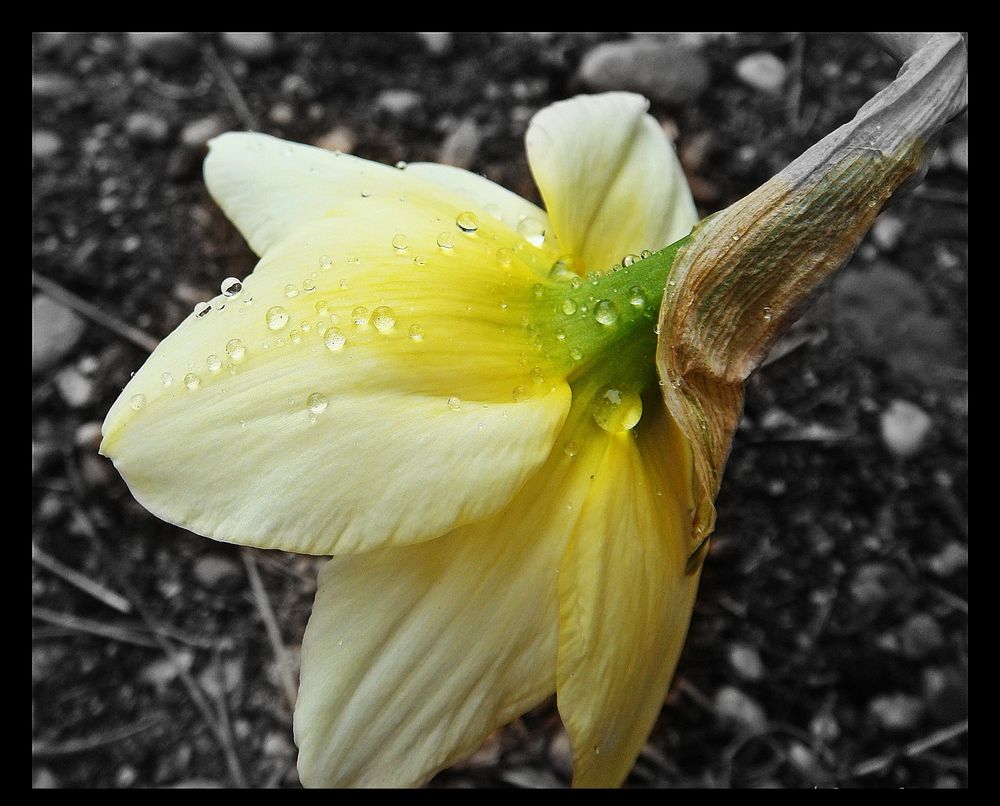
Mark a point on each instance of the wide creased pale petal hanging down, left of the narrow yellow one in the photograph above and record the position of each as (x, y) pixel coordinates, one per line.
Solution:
(414, 655)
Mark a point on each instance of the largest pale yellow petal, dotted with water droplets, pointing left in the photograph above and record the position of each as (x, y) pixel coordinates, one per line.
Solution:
(437, 404)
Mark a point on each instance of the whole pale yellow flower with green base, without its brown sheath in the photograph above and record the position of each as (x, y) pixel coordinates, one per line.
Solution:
(450, 390)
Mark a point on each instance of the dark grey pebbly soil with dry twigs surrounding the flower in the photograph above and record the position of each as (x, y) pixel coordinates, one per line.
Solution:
(829, 645)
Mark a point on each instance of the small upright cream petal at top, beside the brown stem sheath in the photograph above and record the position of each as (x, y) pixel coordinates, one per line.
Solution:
(609, 177)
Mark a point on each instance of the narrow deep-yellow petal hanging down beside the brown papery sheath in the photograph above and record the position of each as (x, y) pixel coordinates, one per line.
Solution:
(624, 597)
